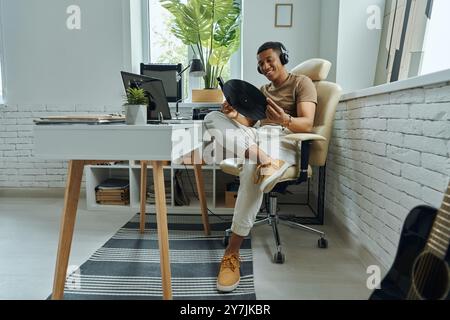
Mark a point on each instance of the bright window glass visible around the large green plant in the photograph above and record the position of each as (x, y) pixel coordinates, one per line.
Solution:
(166, 48)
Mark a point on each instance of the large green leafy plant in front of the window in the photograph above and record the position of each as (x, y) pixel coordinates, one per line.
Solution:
(211, 28)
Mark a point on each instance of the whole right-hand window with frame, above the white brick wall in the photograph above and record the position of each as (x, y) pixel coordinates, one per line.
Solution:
(415, 40)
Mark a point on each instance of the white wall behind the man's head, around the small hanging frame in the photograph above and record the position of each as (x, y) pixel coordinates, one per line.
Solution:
(302, 39)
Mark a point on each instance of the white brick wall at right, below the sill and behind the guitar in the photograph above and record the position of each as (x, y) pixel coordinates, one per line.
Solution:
(388, 154)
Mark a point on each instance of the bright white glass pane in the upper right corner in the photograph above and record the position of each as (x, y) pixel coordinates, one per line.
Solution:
(437, 47)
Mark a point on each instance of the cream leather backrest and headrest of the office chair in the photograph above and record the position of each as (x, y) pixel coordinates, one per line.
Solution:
(328, 96)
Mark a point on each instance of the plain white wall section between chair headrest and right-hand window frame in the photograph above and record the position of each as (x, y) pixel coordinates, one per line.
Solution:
(358, 46)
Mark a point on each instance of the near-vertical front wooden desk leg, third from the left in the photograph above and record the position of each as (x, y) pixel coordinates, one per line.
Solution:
(163, 234)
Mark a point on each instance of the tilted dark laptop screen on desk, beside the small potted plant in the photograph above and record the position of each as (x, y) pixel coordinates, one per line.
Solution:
(154, 90)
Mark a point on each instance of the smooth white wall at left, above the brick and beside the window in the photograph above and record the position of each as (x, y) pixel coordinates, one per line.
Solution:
(49, 64)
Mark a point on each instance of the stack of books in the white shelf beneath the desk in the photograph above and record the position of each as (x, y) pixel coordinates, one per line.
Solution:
(113, 192)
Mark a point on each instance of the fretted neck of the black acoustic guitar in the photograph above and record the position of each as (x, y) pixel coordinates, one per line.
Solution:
(439, 239)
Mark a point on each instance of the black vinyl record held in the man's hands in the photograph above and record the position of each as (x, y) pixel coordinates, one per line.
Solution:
(246, 99)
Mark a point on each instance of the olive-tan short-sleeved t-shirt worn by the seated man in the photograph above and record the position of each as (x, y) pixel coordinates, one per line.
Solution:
(296, 88)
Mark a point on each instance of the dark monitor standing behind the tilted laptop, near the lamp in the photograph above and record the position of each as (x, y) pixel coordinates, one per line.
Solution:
(168, 73)
